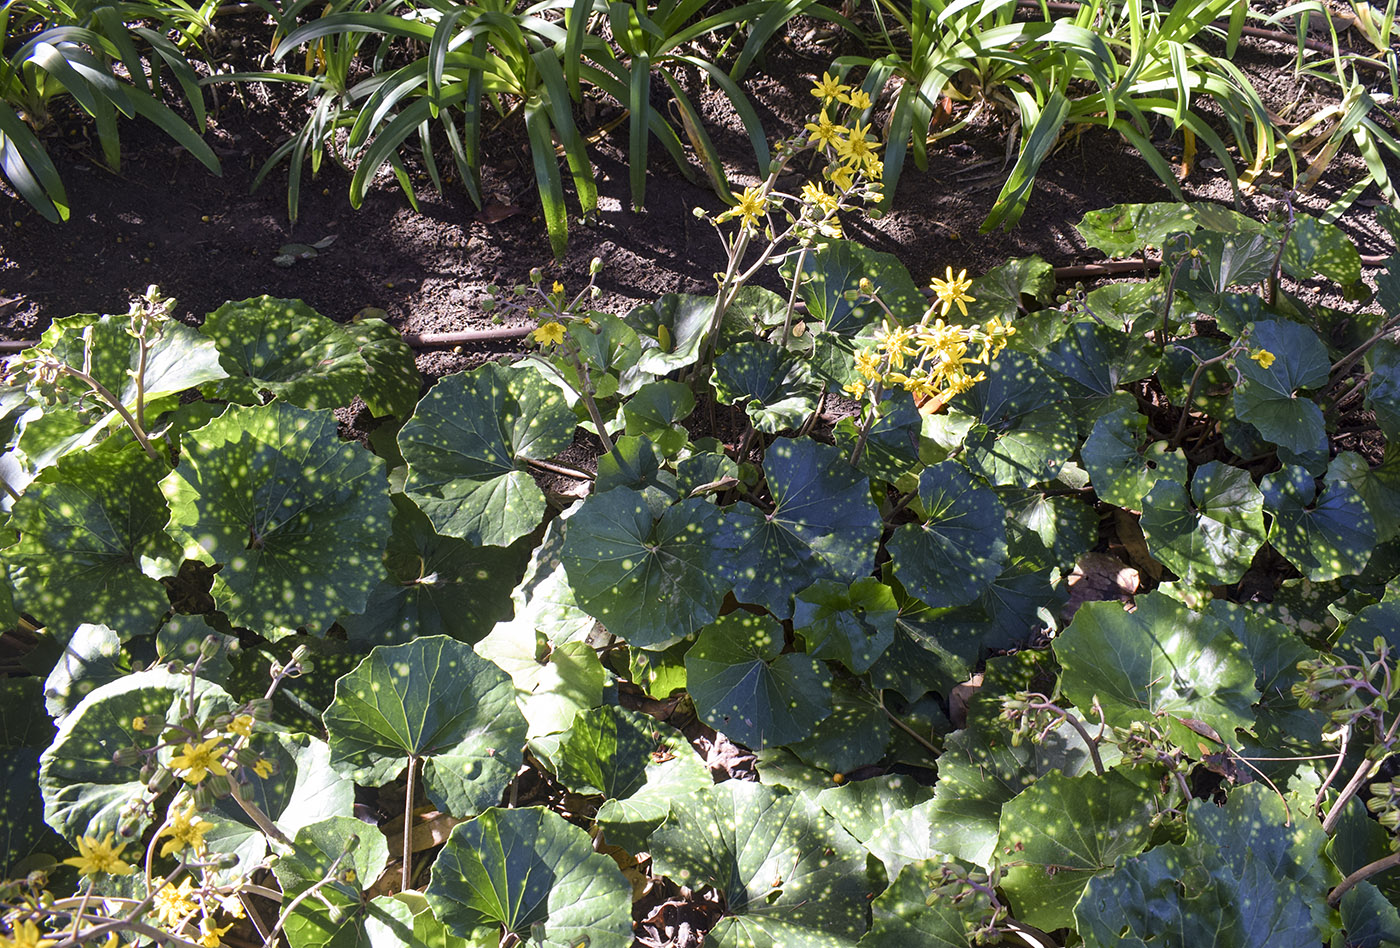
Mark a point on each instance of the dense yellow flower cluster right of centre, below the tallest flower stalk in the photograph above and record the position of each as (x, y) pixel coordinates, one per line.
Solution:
(934, 361)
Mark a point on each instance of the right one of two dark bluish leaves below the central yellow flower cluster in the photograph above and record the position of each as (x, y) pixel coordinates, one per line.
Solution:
(953, 557)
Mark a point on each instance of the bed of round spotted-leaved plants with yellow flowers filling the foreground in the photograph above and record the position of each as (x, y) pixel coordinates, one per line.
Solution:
(857, 551)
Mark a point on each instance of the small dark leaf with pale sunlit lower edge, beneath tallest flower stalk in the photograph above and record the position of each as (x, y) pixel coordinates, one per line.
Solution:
(775, 386)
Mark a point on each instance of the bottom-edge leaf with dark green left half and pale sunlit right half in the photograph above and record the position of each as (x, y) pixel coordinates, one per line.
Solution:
(535, 876)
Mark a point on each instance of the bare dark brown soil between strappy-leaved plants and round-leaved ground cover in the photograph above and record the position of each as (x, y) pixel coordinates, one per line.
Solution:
(205, 240)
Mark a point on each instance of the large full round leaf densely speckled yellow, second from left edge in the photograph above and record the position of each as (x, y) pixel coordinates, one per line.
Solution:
(295, 517)
